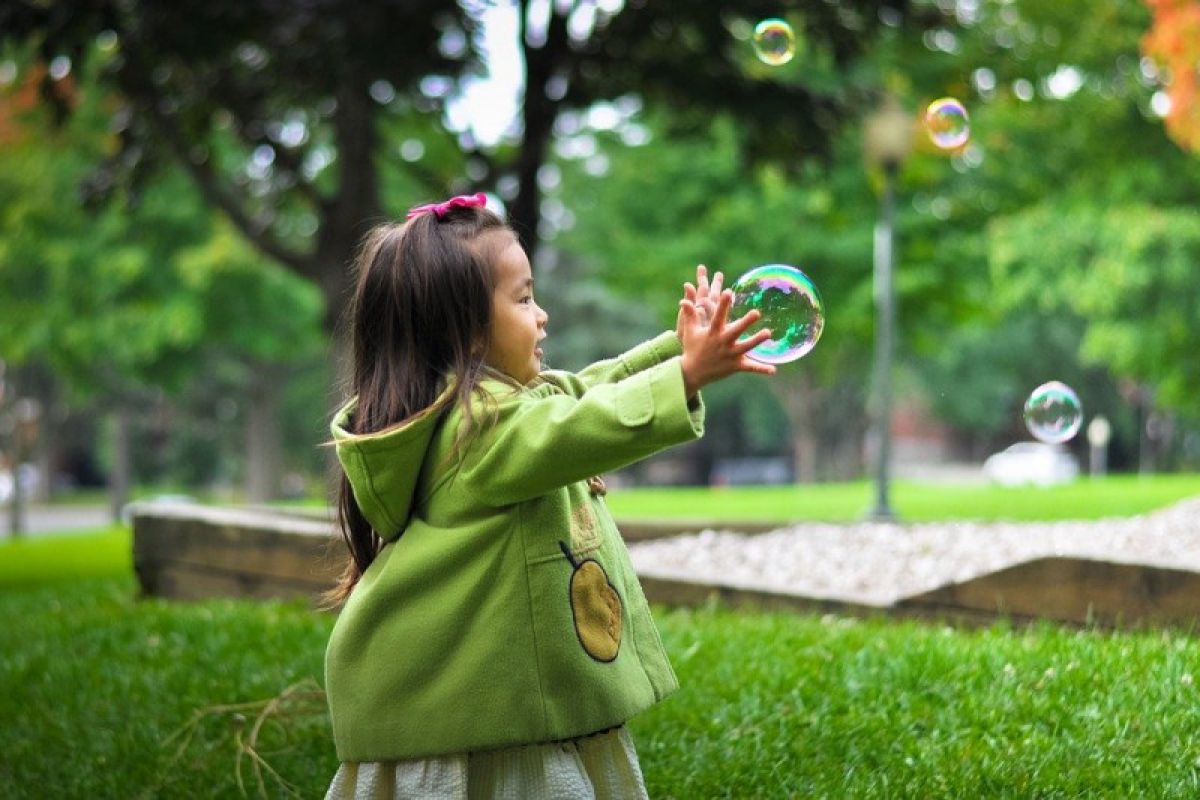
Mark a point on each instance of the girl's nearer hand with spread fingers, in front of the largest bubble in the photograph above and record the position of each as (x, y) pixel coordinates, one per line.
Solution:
(712, 351)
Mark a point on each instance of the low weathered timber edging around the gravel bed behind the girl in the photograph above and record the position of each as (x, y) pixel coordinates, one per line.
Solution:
(193, 552)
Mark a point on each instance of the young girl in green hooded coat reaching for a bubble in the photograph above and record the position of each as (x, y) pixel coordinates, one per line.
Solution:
(495, 639)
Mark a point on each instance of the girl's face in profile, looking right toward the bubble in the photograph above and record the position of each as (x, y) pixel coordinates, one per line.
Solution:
(519, 324)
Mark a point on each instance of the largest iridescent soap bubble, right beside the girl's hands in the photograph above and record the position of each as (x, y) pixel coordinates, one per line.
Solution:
(790, 306)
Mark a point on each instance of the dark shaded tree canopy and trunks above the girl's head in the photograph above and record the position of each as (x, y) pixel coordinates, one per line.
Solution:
(289, 116)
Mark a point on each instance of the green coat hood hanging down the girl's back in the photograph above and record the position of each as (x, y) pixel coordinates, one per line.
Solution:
(385, 467)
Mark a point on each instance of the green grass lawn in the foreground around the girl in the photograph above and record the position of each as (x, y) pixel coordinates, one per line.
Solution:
(94, 684)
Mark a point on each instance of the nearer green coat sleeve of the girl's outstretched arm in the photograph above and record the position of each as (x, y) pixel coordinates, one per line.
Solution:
(544, 440)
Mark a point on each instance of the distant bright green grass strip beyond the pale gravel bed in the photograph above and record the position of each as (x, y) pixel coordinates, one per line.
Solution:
(1085, 500)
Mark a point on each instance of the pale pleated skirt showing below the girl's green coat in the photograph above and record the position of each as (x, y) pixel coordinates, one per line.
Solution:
(601, 767)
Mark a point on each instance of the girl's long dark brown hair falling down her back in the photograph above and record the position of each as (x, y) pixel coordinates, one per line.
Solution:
(422, 311)
